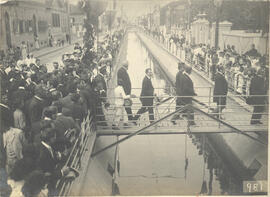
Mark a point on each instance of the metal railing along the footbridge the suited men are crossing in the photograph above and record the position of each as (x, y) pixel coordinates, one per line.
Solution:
(233, 113)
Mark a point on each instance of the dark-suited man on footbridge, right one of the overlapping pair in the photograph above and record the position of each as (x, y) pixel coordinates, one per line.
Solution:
(188, 92)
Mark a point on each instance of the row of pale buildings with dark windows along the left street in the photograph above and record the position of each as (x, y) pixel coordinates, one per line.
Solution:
(37, 20)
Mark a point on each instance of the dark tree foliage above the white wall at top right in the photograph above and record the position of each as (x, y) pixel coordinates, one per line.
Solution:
(244, 15)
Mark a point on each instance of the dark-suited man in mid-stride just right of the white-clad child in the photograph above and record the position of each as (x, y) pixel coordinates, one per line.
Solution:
(147, 97)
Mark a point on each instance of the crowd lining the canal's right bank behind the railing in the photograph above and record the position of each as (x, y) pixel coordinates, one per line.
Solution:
(239, 68)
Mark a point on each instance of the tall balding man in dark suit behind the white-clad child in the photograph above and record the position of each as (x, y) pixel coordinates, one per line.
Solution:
(123, 75)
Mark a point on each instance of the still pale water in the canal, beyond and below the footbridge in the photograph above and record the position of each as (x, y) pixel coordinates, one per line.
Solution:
(166, 164)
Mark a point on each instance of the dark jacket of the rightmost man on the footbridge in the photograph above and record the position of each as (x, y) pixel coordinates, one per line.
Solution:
(257, 87)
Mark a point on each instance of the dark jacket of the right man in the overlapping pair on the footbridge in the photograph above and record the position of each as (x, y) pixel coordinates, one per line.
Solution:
(188, 90)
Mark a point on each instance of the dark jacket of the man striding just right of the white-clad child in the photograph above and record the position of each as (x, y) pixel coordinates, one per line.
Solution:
(147, 91)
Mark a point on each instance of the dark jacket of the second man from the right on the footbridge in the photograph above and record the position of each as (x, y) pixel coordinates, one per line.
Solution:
(220, 88)
